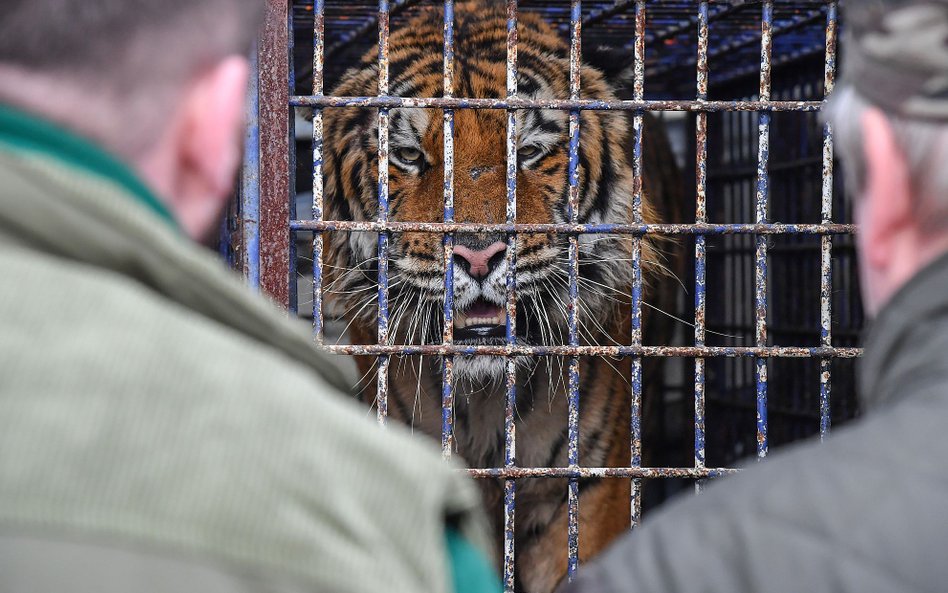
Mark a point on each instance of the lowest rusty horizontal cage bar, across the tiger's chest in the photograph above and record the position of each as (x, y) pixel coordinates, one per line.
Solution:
(600, 472)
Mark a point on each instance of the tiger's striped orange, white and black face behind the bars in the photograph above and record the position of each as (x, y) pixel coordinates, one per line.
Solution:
(416, 193)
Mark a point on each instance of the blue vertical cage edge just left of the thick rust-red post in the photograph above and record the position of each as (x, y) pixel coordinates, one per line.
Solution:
(250, 184)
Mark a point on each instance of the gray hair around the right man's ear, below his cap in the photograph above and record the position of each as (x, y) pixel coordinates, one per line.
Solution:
(923, 143)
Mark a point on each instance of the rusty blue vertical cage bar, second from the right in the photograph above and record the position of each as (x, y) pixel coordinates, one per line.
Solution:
(760, 277)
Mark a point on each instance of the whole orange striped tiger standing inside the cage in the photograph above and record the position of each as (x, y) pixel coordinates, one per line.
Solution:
(416, 262)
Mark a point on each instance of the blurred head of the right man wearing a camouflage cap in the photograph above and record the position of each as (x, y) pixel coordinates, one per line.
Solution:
(890, 118)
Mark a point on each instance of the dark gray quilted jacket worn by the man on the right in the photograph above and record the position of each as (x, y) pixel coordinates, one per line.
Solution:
(865, 511)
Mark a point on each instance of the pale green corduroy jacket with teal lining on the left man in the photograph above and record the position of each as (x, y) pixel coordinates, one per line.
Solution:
(153, 410)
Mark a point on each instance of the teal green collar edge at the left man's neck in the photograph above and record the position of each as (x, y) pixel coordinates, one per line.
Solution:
(21, 132)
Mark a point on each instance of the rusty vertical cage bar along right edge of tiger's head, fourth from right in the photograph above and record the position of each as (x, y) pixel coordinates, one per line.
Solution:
(635, 441)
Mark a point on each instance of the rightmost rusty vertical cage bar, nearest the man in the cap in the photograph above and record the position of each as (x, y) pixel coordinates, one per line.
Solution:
(826, 242)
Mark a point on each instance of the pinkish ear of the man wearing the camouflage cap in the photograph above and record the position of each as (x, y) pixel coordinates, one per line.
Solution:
(886, 208)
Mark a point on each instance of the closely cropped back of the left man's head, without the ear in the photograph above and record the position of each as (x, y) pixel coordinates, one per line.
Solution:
(113, 69)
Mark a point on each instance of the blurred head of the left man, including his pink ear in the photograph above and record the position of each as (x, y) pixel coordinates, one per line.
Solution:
(161, 84)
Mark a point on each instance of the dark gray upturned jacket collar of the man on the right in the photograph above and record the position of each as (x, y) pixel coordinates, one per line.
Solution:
(905, 339)
